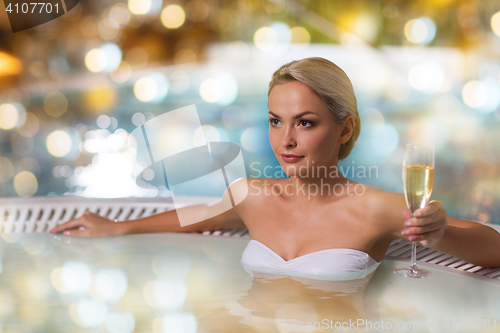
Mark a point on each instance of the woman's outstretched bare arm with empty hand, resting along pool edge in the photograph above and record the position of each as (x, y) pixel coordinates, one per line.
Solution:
(93, 225)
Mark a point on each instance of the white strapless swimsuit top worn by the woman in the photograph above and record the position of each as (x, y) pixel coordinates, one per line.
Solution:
(329, 265)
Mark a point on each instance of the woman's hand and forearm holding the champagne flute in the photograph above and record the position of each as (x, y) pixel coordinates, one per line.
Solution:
(470, 241)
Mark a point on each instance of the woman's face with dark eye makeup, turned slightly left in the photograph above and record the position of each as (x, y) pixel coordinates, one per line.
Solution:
(300, 124)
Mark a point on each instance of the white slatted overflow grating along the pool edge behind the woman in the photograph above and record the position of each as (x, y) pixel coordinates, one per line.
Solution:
(40, 214)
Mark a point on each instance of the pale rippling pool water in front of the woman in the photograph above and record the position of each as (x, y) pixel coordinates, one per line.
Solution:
(194, 283)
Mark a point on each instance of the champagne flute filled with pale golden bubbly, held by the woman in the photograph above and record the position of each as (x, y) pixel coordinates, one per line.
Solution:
(418, 176)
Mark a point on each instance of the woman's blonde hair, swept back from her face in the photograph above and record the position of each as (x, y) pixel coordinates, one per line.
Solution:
(328, 82)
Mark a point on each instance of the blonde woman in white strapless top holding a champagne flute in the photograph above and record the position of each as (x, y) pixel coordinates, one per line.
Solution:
(342, 233)
